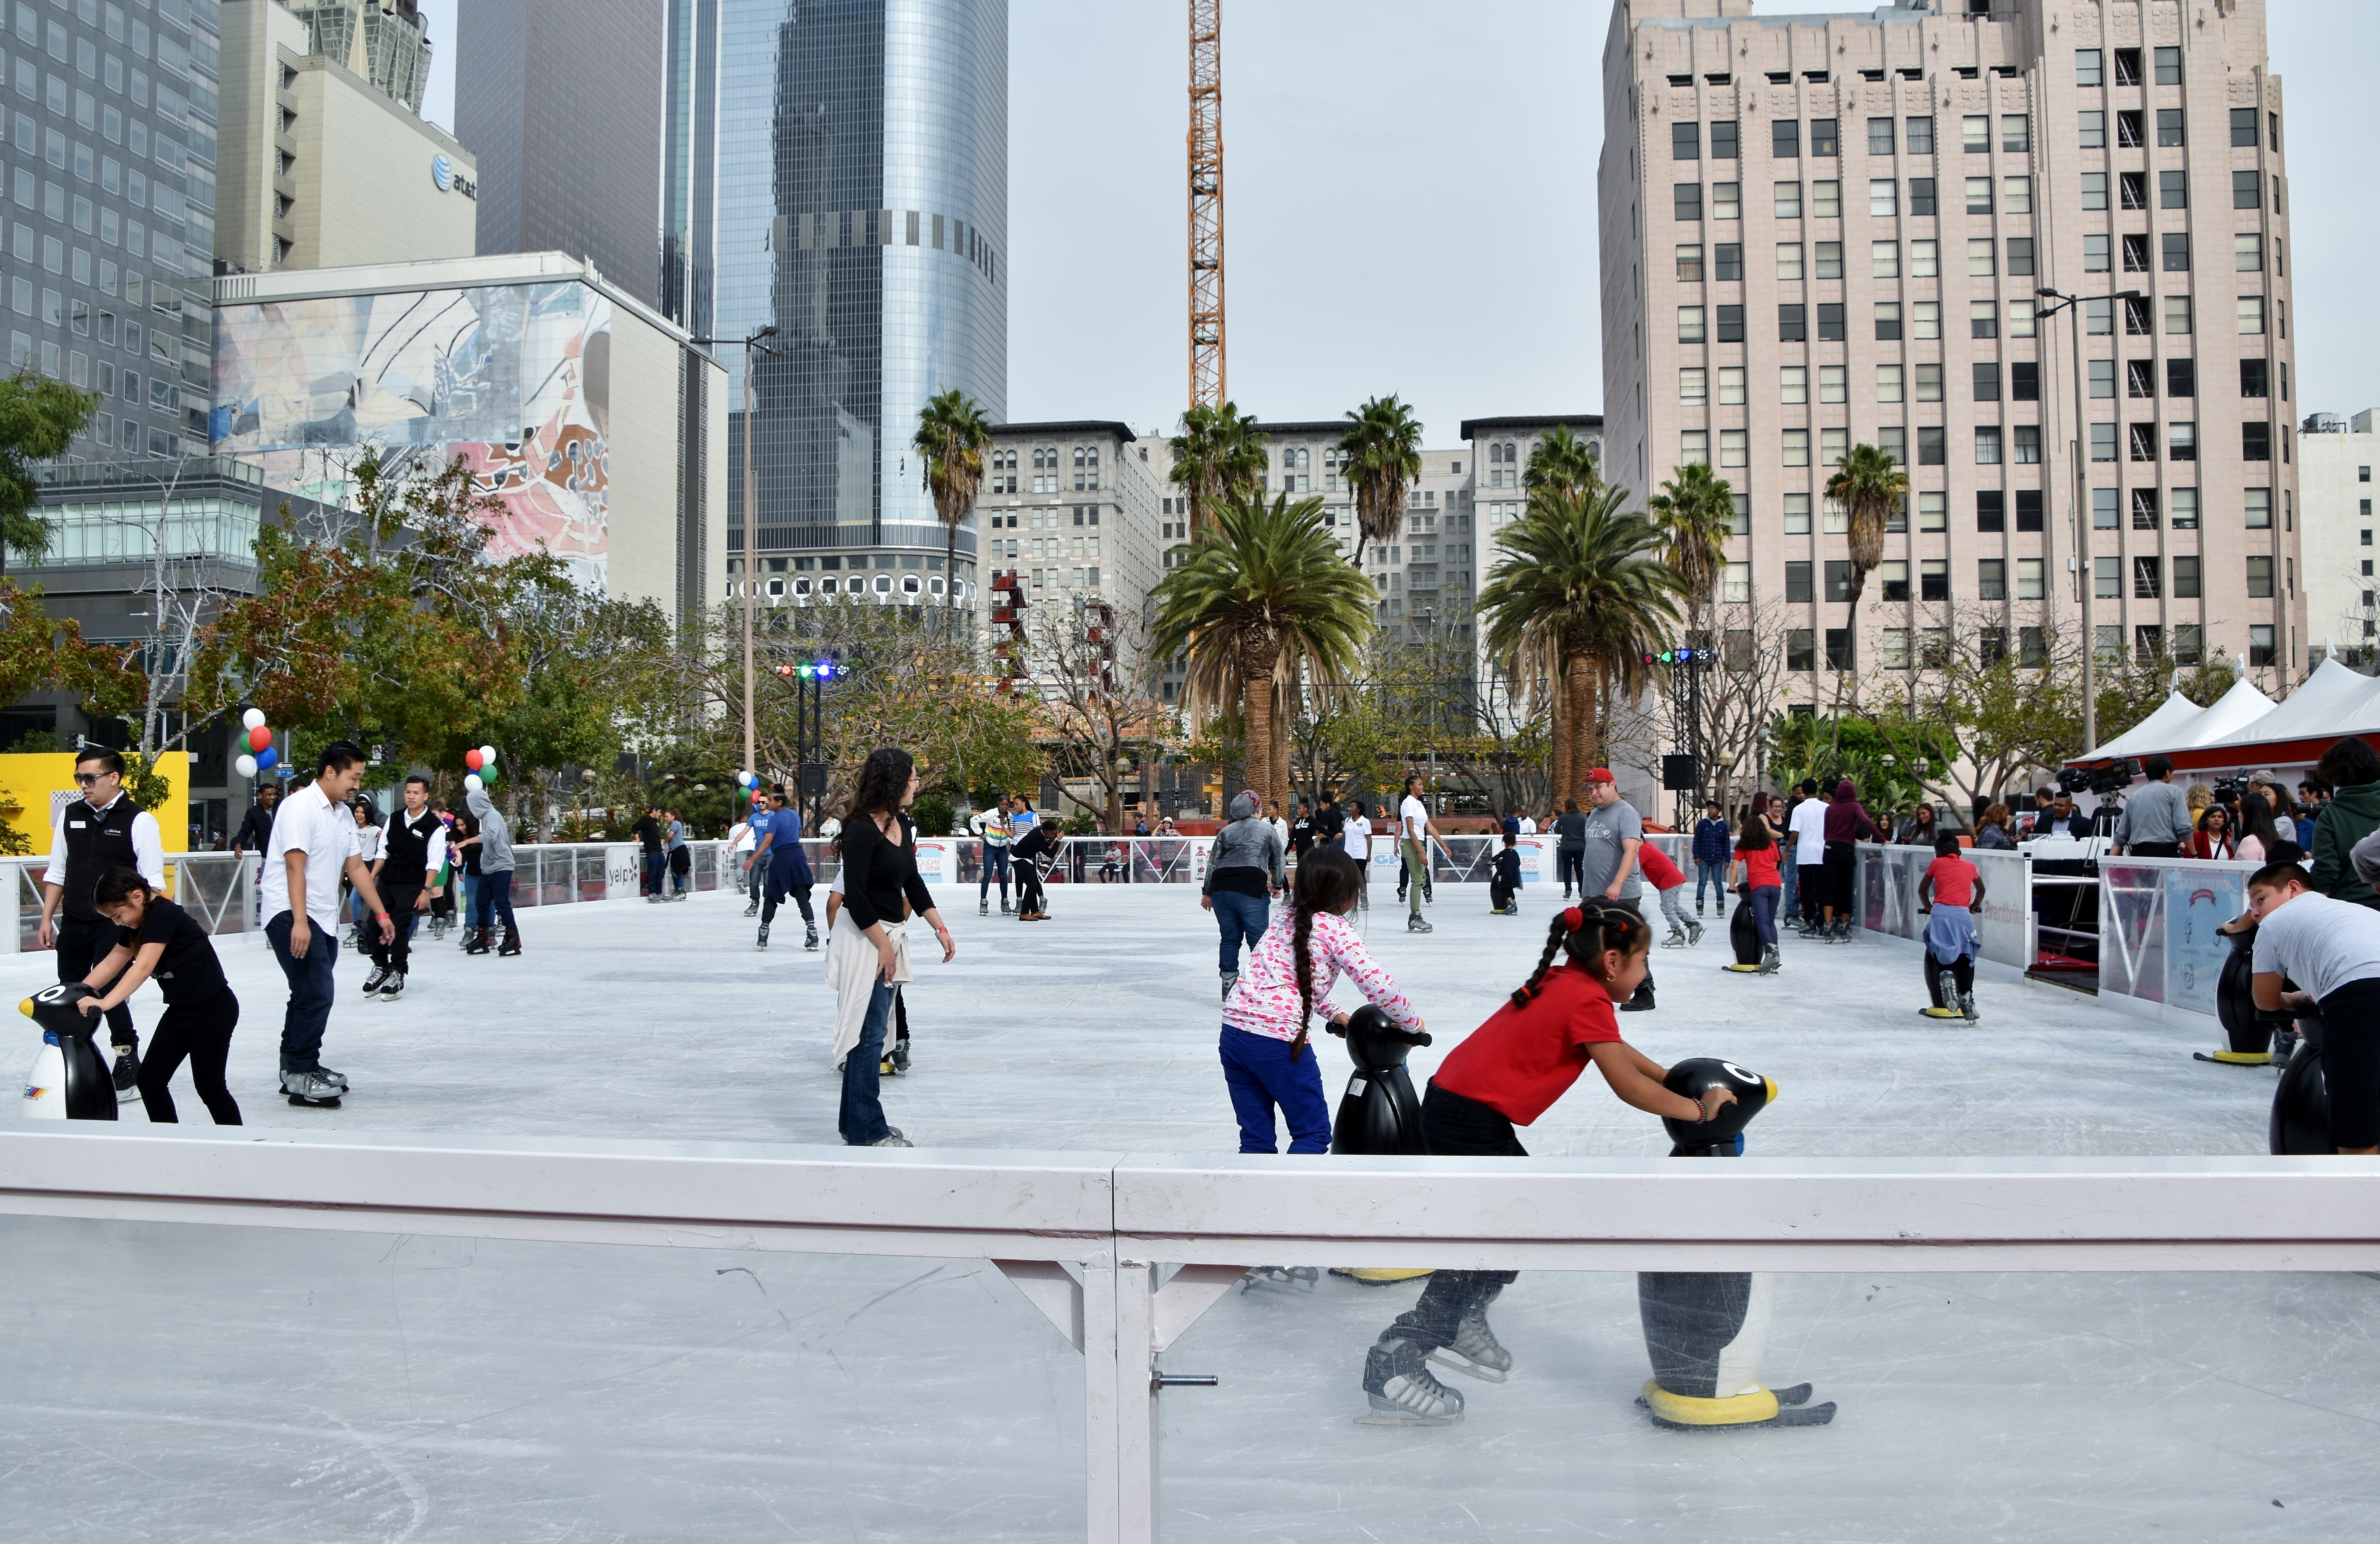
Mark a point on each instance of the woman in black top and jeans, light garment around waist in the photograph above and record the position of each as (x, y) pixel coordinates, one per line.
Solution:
(879, 872)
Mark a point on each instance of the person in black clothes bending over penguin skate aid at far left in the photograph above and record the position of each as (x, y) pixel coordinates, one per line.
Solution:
(161, 941)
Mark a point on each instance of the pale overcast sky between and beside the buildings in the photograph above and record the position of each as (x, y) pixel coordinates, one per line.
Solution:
(1410, 203)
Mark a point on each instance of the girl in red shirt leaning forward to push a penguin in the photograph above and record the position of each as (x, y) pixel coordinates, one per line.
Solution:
(1508, 1074)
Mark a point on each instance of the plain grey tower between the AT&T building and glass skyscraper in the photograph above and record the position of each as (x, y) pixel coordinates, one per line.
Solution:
(563, 106)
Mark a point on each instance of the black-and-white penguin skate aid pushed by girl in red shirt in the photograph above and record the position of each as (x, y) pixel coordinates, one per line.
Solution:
(1708, 1331)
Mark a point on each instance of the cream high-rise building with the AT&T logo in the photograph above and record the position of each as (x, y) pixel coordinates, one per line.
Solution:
(325, 153)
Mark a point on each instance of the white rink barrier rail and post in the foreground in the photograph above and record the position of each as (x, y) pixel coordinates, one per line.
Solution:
(1125, 1253)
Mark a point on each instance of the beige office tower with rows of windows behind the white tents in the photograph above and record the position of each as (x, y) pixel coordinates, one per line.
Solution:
(1822, 232)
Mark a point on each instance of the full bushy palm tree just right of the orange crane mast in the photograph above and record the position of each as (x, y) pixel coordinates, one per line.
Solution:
(1260, 596)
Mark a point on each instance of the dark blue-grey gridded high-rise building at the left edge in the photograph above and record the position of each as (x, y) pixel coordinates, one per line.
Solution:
(111, 170)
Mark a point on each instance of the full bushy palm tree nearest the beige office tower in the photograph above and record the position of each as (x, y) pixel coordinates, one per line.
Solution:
(1574, 605)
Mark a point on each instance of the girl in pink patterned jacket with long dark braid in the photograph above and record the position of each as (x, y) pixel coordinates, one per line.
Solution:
(1270, 1012)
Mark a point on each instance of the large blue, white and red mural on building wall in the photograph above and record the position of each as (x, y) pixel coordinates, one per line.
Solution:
(513, 379)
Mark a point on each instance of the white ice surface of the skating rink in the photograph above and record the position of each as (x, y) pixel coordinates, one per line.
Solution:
(201, 1383)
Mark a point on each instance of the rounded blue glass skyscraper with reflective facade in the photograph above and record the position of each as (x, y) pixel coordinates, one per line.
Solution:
(858, 203)
